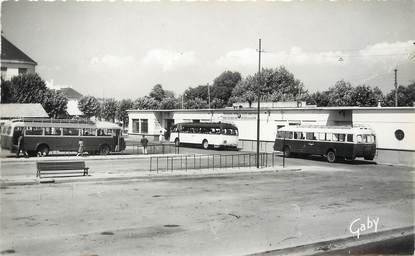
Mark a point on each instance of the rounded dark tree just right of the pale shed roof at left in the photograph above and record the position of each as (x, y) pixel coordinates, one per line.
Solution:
(55, 104)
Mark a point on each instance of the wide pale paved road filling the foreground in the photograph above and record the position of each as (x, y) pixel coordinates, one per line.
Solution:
(229, 215)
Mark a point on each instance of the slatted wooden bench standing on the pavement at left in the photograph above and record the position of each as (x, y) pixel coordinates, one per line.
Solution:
(49, 169)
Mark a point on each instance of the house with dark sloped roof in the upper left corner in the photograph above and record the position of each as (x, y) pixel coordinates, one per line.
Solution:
(14, 61)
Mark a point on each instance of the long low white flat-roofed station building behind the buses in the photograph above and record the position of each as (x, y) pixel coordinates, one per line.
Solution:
(394, 126)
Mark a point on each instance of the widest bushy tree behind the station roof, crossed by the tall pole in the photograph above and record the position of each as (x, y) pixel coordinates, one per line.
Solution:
(276, 85)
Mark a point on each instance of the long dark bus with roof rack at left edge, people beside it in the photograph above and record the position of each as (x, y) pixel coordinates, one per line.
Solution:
(44, 135)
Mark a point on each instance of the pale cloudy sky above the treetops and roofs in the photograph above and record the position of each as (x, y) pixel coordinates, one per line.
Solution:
(122, 49)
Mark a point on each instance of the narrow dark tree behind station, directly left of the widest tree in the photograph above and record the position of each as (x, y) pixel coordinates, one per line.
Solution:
(223, 86)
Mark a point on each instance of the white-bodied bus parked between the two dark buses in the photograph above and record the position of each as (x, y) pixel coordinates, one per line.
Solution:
(207, 135)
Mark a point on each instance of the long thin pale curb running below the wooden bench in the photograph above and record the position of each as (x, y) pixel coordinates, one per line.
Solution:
(149, 176)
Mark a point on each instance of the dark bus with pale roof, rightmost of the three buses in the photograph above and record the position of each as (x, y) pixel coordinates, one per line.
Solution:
(333, 142)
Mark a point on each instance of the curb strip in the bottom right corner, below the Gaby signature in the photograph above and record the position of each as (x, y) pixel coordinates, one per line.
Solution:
(339, 245)
